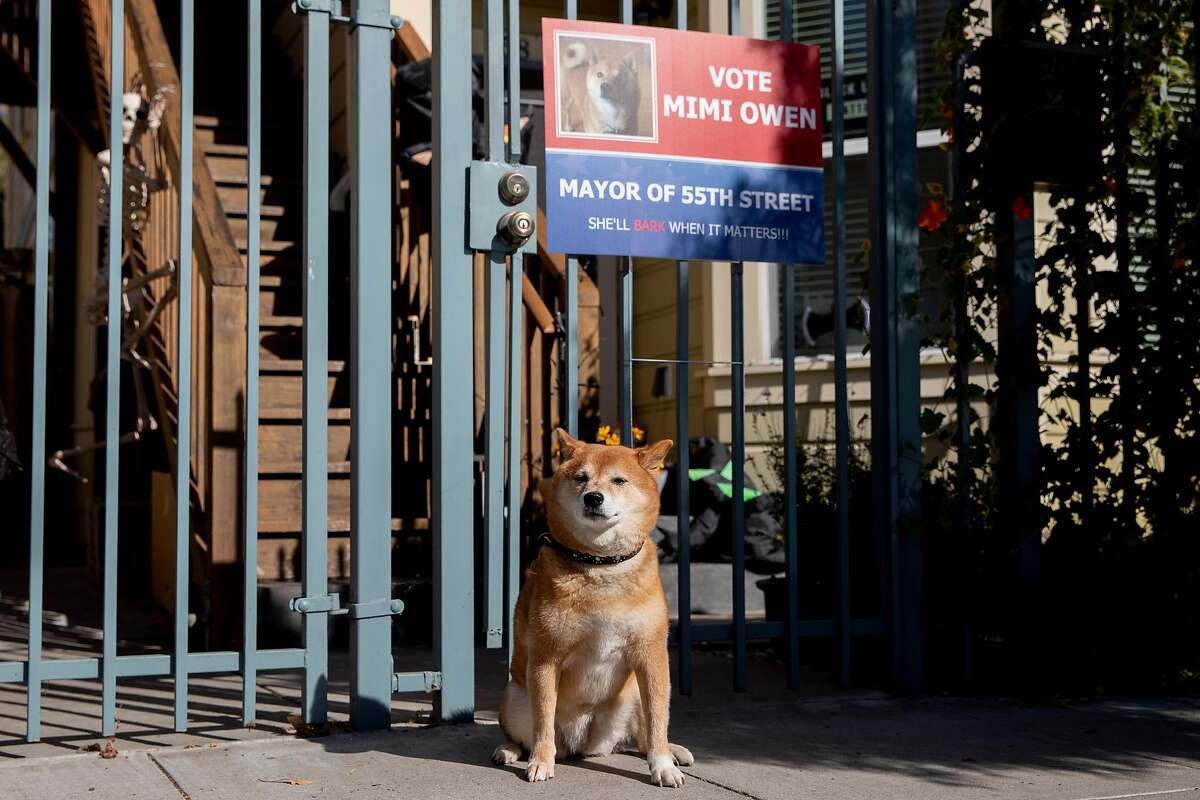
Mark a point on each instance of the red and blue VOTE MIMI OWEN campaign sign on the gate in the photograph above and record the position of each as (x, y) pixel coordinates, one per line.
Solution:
(681, 145)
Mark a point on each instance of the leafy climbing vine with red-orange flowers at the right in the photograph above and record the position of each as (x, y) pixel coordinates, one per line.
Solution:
(1118, 272)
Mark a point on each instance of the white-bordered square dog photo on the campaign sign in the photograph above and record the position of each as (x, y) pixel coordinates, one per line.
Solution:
(607, 87)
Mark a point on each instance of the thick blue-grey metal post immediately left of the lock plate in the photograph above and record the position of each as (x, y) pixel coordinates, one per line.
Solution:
(453, 441)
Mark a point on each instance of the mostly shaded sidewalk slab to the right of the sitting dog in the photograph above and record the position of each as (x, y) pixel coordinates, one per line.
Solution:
(934, 750)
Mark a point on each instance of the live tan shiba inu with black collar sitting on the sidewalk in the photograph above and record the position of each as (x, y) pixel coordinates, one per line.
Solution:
(590, 664)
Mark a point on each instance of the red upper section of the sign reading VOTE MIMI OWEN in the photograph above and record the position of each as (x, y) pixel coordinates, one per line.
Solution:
(698, 97)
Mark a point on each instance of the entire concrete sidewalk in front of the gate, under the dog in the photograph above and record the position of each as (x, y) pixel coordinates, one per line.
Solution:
(836, 749)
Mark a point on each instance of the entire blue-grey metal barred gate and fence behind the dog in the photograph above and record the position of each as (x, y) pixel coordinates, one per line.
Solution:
(470, 215)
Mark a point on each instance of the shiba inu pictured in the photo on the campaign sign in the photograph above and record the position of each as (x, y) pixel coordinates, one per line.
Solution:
(601, 94)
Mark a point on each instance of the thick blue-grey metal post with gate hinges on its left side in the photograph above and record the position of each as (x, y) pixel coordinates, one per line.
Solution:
(371, 395)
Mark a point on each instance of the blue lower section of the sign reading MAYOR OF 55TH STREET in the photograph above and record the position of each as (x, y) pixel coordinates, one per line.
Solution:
(710, 210)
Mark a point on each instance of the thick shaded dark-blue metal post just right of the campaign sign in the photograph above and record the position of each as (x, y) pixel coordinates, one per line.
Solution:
(896, 371)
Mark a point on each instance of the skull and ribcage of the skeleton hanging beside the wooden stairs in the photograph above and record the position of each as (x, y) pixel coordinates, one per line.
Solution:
(139, 118)
